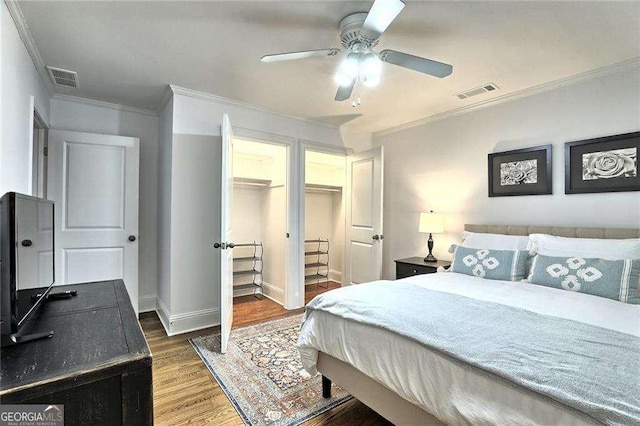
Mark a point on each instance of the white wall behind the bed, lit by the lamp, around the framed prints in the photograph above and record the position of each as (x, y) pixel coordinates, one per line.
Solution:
(442, 165)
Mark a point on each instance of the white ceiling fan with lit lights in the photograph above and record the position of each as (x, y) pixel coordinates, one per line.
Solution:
(359, 33)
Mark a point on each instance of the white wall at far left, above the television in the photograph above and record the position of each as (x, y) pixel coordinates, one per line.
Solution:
(20, 83)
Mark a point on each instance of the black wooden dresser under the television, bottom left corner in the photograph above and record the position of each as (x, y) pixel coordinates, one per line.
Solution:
(97, 363)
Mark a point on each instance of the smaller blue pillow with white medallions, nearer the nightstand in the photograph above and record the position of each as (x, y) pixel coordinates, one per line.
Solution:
(506, 265)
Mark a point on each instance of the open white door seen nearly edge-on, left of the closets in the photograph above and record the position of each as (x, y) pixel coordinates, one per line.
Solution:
(226, 251)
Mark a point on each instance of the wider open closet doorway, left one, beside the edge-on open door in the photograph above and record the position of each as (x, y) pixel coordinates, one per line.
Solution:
(259, 212)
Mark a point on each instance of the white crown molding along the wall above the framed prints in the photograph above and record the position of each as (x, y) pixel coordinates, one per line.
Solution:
(545, 87)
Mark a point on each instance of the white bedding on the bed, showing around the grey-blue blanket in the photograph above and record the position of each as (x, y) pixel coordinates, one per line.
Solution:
(453, 392)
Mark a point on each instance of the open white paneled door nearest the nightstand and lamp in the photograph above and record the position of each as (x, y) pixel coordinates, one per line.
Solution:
(363, 260)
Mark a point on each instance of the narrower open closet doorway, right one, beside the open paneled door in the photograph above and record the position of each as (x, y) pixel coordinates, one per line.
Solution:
(324, 221)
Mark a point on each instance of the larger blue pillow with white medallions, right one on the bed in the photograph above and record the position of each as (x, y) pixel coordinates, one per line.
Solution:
(613, 279)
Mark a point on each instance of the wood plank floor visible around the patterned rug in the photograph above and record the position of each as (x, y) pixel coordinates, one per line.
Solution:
(184, 392)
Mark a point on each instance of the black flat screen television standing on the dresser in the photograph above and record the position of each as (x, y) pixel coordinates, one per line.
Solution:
(26, 261)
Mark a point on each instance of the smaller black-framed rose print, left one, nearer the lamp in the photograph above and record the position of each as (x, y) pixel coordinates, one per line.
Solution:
(520, 172)
